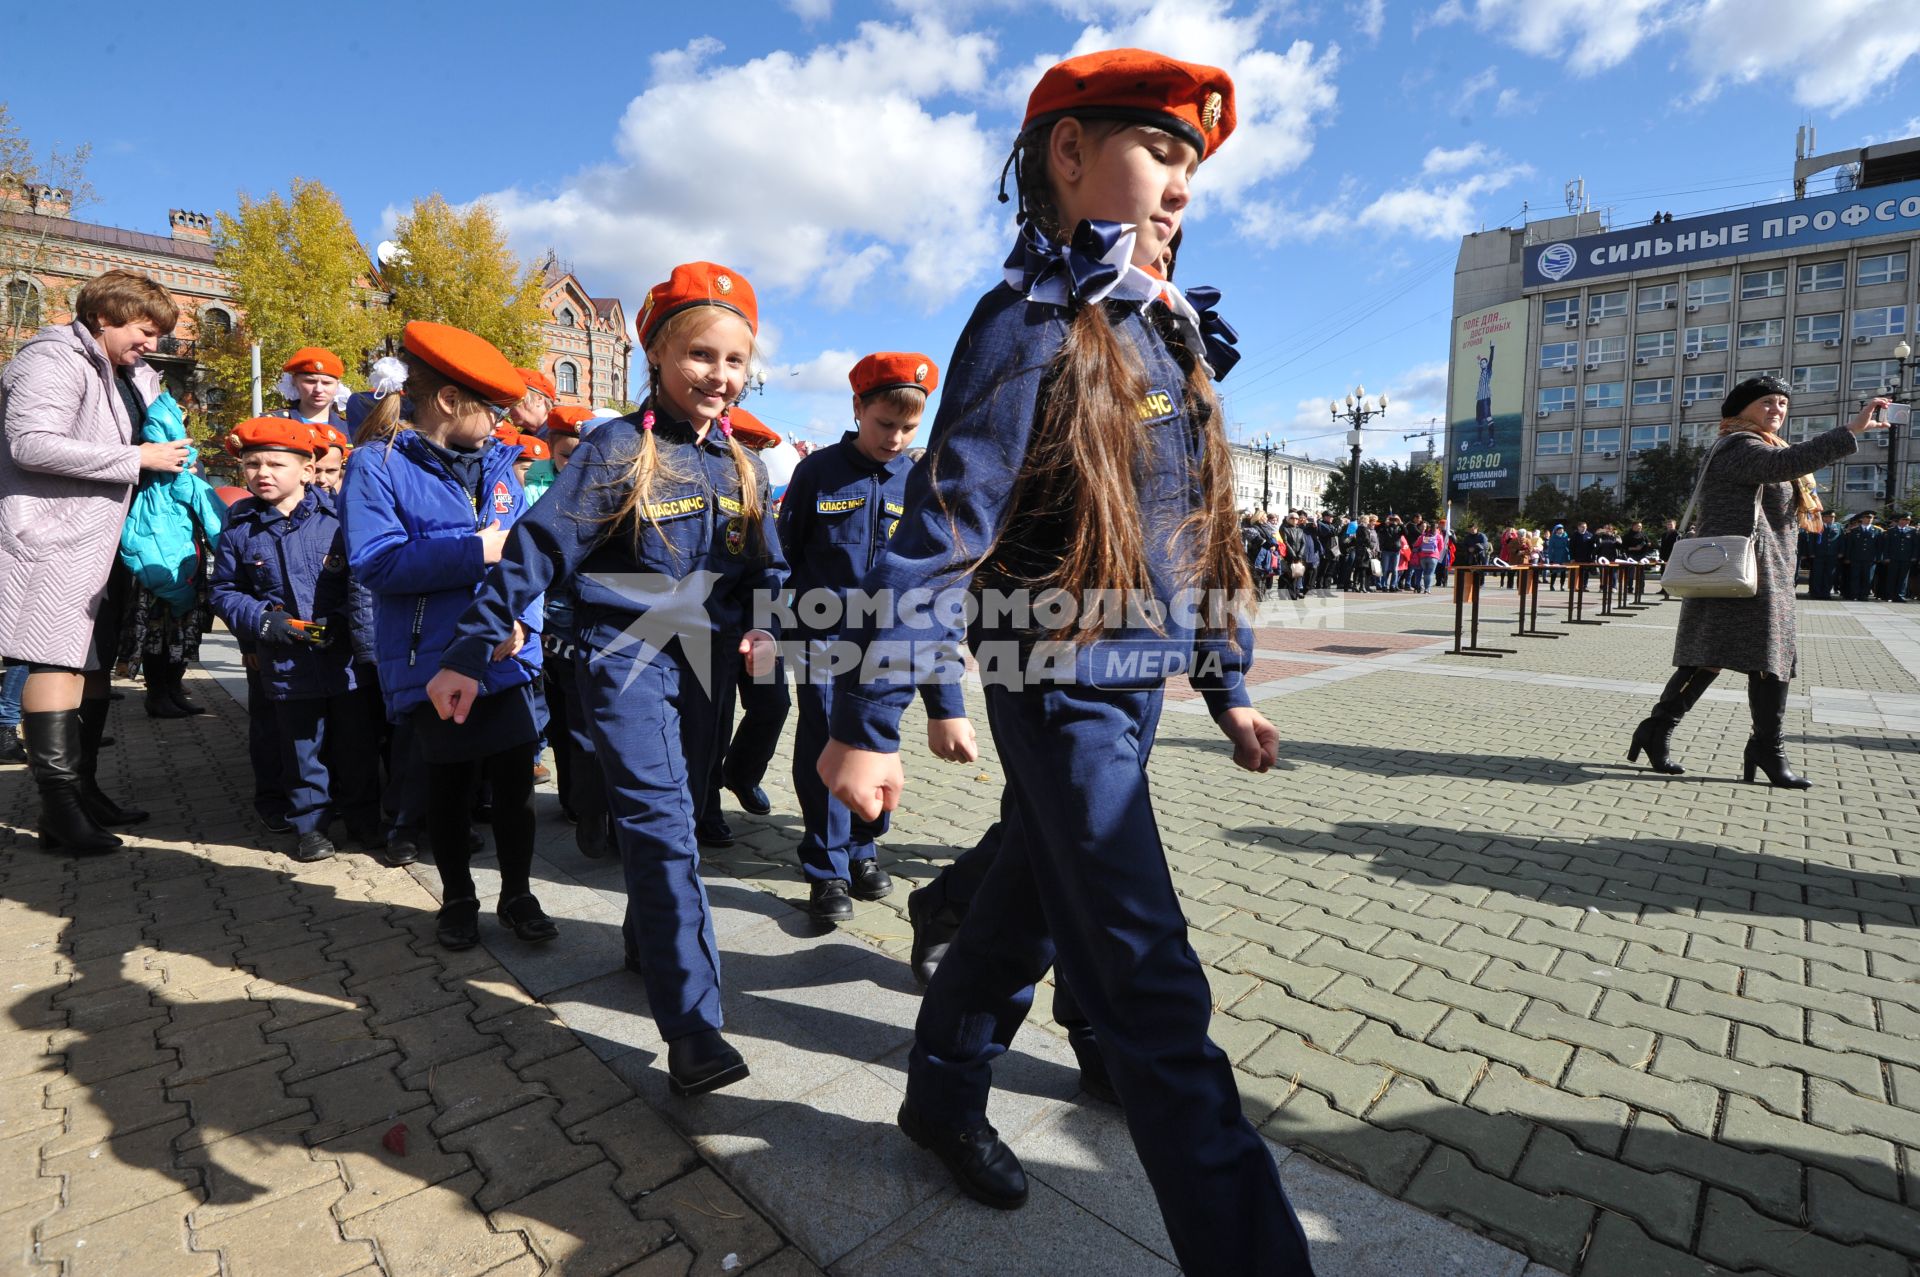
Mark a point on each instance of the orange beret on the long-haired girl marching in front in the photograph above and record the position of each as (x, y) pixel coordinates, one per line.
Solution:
(1141, 87)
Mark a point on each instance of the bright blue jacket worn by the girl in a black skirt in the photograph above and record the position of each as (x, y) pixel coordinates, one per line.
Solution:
(412, 541)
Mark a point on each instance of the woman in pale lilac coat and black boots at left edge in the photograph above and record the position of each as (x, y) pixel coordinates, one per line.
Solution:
(72, 404)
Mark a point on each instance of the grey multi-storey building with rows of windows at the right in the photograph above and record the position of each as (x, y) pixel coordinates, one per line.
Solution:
(1637, 335)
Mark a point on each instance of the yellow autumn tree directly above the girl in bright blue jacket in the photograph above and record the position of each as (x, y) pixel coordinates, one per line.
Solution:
(454, 268)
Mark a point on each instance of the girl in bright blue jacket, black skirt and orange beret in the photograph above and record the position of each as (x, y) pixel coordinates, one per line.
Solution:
(427, 516)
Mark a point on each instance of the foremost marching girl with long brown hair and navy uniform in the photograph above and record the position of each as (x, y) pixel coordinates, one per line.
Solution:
(1078, 450)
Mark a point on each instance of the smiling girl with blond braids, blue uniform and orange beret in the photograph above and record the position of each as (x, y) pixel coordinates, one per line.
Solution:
(661, 519)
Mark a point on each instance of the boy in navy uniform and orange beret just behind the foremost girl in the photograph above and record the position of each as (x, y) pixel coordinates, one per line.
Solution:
(834, 523)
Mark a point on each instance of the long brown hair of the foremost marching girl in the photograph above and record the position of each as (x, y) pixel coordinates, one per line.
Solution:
(1086, 458)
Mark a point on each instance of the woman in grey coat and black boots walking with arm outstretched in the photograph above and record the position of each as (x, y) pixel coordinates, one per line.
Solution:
(1754, 637)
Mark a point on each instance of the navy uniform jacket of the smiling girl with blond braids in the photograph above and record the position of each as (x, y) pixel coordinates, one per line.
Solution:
(692, 564)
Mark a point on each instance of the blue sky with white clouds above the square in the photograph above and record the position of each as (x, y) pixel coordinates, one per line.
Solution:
(844, 155)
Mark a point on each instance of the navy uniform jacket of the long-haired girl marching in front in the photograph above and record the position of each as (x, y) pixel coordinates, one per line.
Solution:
(990, 406)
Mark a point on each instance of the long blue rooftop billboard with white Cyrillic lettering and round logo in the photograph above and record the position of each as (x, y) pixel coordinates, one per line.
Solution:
(1769, 228)
